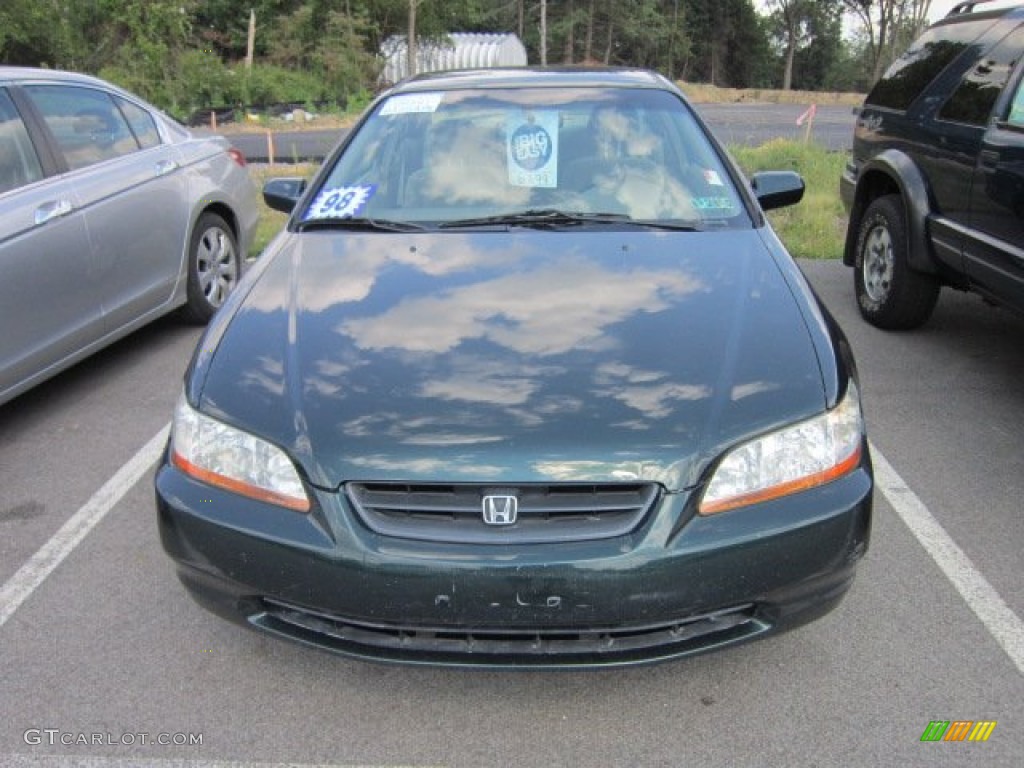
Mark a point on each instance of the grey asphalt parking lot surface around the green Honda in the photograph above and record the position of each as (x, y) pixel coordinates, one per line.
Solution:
(108, 648)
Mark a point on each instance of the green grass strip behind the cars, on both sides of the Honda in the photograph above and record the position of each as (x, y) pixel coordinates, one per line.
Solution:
(816, 229)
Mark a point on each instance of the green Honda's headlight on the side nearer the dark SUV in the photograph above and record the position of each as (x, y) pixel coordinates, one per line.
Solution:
(794, 459)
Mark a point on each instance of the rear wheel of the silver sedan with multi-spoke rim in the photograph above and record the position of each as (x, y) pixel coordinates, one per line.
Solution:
(214, 268)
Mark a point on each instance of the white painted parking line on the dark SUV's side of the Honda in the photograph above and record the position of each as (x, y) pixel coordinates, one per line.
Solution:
(983, 599)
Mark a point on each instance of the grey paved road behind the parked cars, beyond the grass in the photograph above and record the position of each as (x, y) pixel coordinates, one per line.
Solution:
(736, 124)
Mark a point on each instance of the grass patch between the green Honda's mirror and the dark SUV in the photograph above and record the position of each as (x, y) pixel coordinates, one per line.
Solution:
(817, 228)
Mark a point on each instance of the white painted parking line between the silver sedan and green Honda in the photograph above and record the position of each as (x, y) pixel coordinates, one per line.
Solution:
(34, 573)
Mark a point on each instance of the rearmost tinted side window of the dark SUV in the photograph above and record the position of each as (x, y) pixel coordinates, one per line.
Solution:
(929, 56)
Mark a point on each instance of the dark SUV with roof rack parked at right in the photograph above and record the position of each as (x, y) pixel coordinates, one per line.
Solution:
(935, 186)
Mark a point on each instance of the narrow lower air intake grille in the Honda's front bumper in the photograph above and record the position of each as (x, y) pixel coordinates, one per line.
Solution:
(509, 647)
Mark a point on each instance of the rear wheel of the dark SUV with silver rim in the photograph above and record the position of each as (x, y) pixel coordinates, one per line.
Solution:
(890, 294)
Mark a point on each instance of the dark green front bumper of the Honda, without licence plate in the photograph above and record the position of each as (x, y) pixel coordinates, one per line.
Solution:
(678, 585)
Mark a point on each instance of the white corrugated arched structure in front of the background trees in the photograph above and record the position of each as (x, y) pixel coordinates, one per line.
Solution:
(457, 52)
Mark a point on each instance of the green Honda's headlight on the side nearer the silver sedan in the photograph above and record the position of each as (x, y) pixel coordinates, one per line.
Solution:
(222, 456)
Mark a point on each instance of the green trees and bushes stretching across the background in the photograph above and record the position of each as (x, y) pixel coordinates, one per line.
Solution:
(183, 55)
